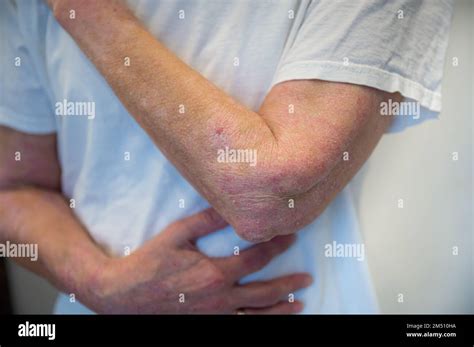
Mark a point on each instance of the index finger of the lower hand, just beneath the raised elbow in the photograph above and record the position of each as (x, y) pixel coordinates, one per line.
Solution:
(254, 258)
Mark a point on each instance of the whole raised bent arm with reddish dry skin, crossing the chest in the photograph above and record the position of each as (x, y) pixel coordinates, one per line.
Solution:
(299, 154)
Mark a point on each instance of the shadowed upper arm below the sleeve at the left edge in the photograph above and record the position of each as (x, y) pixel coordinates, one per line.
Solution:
(28, 160)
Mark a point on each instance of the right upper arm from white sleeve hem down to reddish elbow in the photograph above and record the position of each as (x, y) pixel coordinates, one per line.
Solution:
(314, 124)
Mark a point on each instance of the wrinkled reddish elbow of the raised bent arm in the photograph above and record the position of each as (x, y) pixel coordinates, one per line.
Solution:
(271, 201)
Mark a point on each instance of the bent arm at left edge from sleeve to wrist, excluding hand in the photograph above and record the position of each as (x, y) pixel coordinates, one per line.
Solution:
(33, 211)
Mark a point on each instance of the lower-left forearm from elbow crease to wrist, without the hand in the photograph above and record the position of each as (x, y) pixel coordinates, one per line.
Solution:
(67, 256)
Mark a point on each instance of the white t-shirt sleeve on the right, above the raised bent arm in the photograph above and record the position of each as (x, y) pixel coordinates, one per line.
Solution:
(395, 46)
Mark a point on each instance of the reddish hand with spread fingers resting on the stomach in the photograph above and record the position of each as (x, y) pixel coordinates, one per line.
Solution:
(170, 275)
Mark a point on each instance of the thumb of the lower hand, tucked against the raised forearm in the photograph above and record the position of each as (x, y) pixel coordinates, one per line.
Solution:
(197, 225)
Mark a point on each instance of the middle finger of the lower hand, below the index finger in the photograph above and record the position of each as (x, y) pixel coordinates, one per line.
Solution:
(268, 293)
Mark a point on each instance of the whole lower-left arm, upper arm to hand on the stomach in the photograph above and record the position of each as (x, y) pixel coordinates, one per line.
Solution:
(152, 278)
